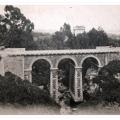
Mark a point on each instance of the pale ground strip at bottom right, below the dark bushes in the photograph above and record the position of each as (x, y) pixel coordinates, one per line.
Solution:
(96, 109)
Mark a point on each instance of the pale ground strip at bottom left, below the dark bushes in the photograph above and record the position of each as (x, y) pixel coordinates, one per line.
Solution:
(17, 109)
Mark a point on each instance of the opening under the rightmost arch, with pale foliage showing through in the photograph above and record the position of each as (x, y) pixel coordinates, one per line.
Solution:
(89, 72)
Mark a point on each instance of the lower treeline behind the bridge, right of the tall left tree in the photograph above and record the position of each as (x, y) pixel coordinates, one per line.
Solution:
(65, 39)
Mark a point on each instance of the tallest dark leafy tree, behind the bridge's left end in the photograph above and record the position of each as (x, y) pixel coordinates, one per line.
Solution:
(15, 29)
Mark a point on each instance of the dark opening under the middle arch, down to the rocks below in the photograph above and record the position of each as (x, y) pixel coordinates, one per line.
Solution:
(66, 75)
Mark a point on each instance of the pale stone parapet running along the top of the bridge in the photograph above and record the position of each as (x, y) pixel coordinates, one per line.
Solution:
(58, 52)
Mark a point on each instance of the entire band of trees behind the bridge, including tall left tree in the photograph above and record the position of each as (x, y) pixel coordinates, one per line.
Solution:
(16, 32)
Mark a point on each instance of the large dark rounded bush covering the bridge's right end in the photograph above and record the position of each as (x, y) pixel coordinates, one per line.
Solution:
(108, 84)
